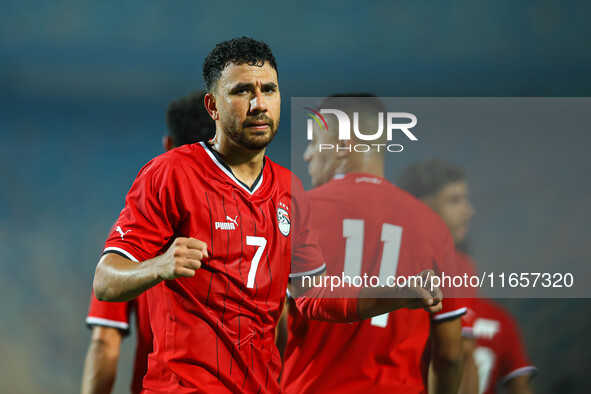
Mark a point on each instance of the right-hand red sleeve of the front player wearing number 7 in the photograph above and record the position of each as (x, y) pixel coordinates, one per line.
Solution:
(307, 258)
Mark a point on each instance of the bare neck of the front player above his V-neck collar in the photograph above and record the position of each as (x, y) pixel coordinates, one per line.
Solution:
(246, 165)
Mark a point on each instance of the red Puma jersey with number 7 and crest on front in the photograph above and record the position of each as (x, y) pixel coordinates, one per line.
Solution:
(214, 332)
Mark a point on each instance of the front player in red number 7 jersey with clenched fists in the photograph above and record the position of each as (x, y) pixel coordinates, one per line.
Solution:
(213, 226)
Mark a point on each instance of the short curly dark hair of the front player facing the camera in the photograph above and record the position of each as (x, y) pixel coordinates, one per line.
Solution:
(242, 50)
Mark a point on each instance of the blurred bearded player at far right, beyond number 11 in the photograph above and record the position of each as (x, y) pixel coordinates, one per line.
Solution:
(498, 352)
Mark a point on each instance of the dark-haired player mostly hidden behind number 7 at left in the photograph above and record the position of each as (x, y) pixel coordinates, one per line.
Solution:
(188, 122)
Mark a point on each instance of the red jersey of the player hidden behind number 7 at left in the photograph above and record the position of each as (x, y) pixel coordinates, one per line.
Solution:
(117, 315)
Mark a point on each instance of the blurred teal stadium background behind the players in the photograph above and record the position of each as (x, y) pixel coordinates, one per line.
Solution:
(84, 86)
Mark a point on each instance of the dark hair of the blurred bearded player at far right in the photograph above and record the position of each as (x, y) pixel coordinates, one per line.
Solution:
(428, 177)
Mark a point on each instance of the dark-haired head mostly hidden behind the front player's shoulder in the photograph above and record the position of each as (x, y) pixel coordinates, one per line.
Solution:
(188, 120)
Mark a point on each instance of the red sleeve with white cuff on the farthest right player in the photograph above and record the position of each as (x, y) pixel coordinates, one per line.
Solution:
(513, 361)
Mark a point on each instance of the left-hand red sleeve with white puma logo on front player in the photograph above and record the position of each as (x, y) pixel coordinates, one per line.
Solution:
(146, 223)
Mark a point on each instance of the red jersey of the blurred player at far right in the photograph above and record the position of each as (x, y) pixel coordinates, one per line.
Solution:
(499, 354)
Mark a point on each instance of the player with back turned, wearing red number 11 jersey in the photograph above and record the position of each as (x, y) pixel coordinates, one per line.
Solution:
(360, 218)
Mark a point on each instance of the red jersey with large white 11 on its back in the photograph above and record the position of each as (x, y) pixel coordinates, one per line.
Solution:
(360, 219)
